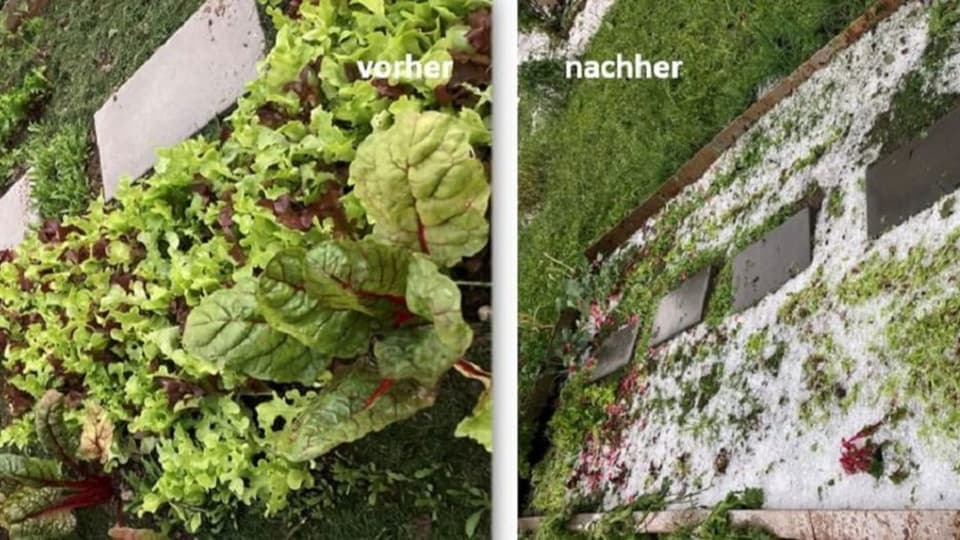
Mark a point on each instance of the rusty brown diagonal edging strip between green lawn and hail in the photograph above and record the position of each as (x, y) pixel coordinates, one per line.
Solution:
(695, 167)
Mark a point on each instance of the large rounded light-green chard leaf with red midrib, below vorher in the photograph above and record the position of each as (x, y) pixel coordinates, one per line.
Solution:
(422, 186)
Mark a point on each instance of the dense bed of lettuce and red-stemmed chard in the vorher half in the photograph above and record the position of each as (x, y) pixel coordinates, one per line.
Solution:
(217, 339)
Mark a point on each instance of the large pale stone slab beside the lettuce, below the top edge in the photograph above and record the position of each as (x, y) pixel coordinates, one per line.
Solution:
(197, 74)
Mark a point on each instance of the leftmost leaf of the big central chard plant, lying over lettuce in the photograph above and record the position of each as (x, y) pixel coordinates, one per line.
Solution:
(228, 331)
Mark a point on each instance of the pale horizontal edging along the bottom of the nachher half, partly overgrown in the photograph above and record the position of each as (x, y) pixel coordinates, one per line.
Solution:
(797, 524)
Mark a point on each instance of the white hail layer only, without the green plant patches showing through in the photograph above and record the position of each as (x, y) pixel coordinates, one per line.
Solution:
(796, 465)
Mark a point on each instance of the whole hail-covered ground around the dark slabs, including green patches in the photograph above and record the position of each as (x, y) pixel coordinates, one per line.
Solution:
(867, 335)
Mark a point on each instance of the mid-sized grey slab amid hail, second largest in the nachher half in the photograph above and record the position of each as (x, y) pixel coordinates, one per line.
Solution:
(765, 265)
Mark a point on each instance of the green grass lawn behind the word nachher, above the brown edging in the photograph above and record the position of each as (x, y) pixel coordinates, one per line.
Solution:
(604, 146)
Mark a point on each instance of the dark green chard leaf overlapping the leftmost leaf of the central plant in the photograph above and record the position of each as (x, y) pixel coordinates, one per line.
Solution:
(294, 302)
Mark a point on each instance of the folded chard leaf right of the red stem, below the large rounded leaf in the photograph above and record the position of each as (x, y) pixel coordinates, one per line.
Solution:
(425, 353)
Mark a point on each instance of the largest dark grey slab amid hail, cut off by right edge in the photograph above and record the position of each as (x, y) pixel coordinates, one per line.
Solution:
(913, 177)
